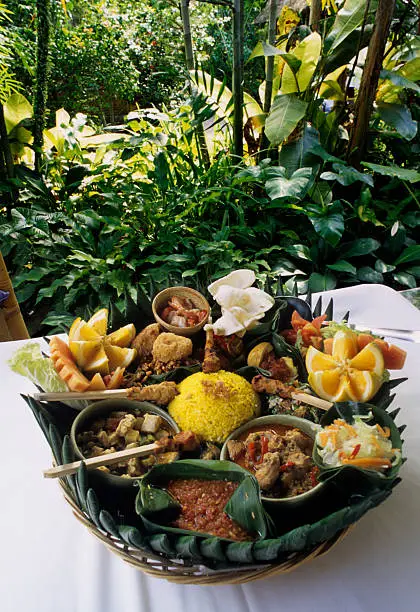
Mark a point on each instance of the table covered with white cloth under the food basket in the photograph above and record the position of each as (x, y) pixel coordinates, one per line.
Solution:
(50, 563)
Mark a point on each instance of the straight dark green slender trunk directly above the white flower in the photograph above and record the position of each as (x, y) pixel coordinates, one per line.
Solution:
(238, 76)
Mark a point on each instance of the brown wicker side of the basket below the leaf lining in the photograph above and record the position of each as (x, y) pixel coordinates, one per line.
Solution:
(185, 572)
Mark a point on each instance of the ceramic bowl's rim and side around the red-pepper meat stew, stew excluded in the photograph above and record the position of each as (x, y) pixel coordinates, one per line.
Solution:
(306, 427)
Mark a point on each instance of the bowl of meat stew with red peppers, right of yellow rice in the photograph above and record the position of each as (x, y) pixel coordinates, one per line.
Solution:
(277, 450)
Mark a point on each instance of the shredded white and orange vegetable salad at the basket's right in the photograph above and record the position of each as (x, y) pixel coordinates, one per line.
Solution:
(361, 445)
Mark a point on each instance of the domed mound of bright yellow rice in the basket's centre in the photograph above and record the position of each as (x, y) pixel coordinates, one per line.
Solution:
(213, 405)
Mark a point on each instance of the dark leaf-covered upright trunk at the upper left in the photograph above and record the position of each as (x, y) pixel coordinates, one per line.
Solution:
(40, 95)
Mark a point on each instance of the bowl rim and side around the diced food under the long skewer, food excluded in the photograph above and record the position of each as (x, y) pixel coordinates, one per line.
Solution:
(103, 409)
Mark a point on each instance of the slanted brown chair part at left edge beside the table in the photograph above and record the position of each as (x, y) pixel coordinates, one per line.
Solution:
(12, 325)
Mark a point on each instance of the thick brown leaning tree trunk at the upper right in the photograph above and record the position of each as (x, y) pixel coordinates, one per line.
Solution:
(369, 82)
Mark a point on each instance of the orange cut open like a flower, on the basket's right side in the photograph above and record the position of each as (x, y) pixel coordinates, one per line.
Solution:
(346, 375)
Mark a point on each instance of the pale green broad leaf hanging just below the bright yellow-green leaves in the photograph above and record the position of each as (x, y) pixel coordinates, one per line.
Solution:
(286, 112)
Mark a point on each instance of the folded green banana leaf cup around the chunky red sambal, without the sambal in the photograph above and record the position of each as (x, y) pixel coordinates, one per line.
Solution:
(157, 508)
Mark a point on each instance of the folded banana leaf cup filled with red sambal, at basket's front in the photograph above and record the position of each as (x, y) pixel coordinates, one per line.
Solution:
(209, 498)
